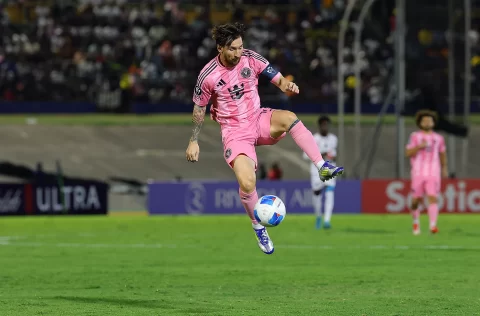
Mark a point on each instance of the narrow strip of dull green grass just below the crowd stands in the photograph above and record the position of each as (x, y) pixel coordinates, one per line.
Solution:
(164, 119)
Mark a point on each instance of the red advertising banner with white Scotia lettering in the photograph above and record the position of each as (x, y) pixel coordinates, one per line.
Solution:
(393, 196)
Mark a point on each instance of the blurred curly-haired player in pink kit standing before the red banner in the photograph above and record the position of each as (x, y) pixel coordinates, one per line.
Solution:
(428, 160)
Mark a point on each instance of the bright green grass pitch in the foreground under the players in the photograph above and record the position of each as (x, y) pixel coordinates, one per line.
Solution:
(366, 265)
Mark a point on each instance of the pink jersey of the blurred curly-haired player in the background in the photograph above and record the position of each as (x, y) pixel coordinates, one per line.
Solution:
(426, 163)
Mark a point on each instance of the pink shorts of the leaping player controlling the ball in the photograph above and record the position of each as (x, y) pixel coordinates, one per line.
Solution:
(244, 140)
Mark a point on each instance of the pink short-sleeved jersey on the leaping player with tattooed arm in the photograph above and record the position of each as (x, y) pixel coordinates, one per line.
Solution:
(233, 91)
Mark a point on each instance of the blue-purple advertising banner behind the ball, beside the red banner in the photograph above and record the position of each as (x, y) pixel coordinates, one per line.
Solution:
(221, 197)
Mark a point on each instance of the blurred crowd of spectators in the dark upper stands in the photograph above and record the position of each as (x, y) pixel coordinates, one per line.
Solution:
(152, 51)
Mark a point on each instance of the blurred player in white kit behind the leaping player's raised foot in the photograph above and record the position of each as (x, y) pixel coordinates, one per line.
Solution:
(327, 143)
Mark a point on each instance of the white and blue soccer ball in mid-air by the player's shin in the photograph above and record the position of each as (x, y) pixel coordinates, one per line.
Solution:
(270, 210)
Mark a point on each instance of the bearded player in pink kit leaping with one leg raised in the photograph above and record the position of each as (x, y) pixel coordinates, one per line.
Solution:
(230, 82)
